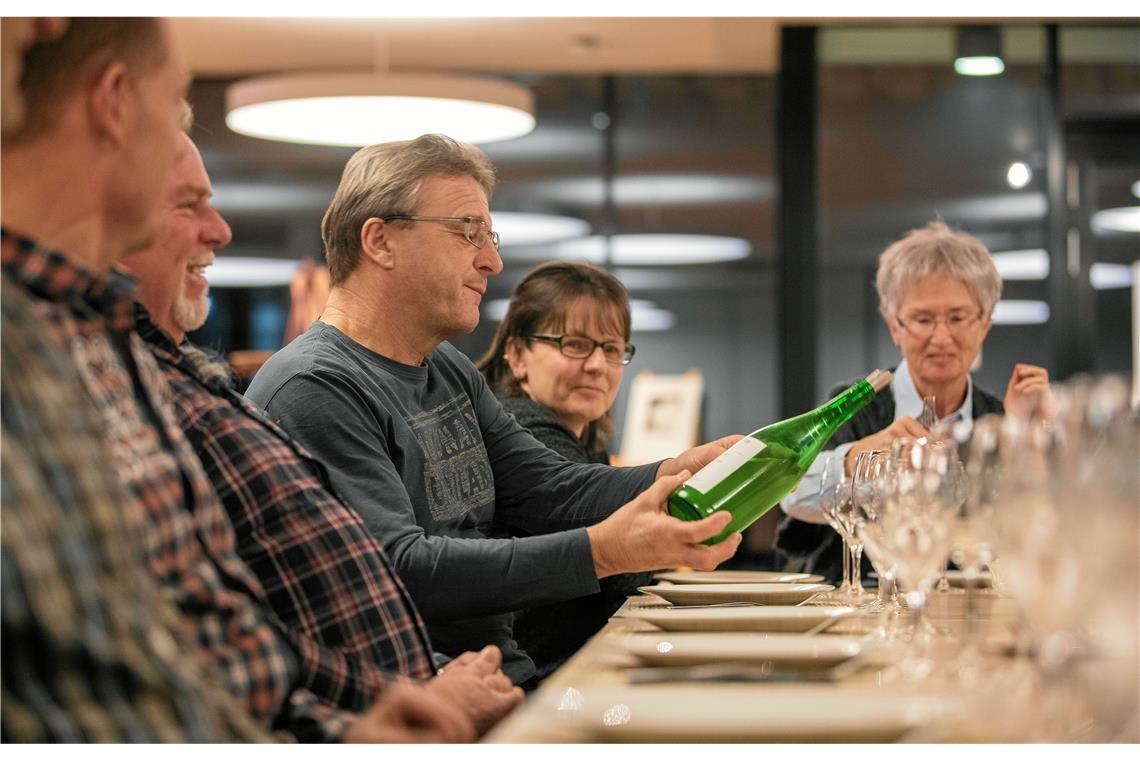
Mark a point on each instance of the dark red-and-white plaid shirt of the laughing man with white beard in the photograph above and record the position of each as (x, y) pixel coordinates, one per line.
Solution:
(322, 570)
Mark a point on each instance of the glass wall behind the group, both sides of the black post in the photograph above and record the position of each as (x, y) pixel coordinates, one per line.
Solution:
(901, 140)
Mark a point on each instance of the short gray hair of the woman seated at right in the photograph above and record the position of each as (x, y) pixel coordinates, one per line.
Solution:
(937, 250)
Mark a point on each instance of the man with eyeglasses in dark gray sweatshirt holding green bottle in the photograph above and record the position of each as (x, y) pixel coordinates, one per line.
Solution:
(478, 517)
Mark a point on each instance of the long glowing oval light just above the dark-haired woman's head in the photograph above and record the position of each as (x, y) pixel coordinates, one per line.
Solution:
(656, 250)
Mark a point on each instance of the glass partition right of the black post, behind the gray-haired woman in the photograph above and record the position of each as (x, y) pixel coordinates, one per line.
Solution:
(905, 140)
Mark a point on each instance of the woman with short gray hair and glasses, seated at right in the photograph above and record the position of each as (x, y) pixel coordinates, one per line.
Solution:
(938, 292)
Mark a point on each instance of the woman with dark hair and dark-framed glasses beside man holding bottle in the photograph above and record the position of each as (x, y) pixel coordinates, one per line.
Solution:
(557, 363)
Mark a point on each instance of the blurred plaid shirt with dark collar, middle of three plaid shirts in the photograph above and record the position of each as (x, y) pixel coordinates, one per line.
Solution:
(189, 542)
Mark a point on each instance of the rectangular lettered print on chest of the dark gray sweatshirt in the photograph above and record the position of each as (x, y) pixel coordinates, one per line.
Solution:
(458, 473)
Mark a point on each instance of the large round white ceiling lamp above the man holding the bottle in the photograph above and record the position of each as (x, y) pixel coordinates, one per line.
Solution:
(355, 110)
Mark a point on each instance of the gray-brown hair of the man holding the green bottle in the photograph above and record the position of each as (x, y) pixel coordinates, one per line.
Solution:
(386, 179)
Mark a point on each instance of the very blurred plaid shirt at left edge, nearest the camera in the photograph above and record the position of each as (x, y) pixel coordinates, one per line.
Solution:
(93, 652)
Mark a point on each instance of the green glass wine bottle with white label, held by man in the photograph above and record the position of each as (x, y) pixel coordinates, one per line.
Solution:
(764, 467)
